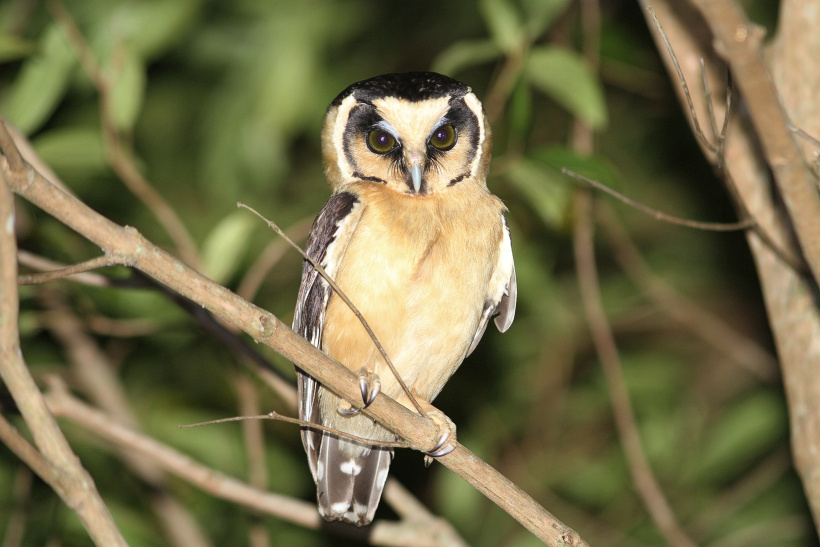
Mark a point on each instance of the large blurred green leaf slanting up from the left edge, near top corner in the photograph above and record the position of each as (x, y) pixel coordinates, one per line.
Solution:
(42, 82)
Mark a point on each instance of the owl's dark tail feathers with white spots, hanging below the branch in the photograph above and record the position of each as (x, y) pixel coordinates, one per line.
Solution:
(350, 479)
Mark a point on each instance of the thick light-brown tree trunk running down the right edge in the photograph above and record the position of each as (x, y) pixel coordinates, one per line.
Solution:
(769, 172)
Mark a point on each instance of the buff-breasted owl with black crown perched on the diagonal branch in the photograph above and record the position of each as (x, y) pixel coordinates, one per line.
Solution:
(417, 242)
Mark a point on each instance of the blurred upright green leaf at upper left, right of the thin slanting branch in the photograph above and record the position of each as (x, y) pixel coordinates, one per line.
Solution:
(127, 74)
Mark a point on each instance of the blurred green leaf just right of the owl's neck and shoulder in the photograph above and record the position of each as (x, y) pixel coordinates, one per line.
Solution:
(543, 188)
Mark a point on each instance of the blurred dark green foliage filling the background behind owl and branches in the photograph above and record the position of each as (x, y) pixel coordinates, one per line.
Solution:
(223, 102)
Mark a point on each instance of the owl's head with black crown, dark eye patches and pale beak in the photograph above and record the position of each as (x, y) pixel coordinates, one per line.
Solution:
(417, 133)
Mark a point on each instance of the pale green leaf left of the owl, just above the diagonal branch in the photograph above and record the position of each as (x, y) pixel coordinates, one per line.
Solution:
(226, 244)
